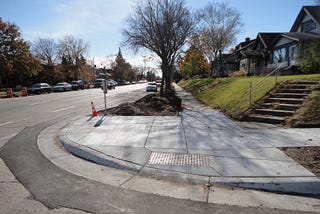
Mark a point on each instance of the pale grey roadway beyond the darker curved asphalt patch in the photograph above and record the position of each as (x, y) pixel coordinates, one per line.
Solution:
(18, 113)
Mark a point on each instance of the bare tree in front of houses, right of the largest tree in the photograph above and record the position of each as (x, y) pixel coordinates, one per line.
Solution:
(218, 27)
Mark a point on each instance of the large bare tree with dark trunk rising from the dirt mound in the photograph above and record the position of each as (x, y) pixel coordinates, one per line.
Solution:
(161, 26)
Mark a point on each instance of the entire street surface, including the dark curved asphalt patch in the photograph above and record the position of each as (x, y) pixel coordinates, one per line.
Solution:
(58, 191)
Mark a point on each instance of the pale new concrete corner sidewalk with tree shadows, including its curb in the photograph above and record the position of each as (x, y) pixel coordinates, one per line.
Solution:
(199, 146)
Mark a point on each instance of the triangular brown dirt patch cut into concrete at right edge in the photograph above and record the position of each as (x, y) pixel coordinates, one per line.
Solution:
(308, 157)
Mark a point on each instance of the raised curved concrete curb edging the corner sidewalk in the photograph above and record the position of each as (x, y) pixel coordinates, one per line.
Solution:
(306, 186)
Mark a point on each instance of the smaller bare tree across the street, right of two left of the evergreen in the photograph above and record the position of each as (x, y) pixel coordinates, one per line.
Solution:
(71, 52)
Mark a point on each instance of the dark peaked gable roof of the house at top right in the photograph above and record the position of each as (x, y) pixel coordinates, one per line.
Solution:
(313, 11)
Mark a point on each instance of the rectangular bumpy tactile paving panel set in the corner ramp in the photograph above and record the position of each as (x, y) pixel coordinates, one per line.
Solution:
(180, 159)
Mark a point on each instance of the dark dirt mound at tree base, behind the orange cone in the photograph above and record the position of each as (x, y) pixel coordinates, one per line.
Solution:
(150, 105)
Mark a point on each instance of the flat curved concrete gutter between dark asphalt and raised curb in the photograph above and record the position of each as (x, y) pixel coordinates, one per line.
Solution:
(51, 147)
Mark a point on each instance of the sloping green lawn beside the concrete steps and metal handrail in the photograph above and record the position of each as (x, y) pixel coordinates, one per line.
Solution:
(229, 94)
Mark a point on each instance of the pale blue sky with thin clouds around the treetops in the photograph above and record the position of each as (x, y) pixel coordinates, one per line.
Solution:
(100, 22)
